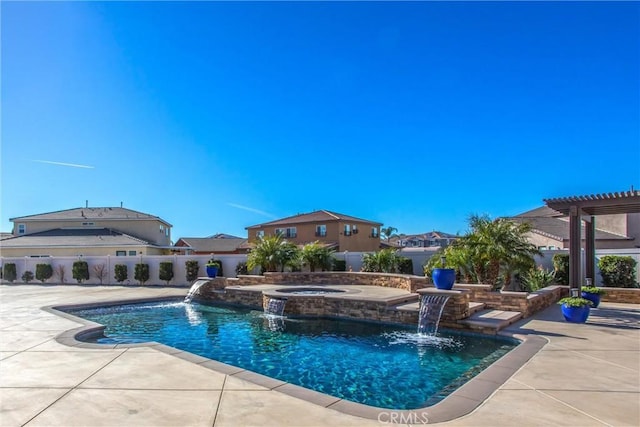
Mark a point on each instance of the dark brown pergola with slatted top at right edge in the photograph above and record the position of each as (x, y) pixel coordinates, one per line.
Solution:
(586, 208)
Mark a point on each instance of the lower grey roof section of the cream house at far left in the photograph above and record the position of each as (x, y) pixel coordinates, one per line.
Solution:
(92, 237)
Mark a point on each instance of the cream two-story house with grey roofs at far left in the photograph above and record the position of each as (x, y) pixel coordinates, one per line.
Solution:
(88, 231)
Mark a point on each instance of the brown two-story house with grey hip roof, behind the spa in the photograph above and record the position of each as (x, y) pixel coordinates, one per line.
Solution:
(338, 231)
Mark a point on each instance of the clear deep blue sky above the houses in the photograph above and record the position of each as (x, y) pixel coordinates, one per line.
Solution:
(216, 116)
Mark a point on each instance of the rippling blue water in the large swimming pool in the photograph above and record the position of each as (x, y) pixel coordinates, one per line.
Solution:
(378, 365)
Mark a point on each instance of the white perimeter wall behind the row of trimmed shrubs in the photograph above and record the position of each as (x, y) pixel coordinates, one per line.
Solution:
(229, 263)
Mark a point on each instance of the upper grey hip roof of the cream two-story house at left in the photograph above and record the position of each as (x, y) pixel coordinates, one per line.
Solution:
(97, 213)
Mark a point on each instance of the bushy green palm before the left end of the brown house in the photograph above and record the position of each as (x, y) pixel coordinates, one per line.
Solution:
(272, 253)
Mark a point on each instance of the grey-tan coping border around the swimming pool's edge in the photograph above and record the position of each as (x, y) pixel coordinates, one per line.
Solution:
(459, 403)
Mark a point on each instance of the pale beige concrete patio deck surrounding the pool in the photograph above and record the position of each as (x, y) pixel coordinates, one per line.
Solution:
(586, 375)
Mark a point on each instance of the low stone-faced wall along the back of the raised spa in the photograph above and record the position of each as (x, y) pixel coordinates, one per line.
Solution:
(400, 281)
